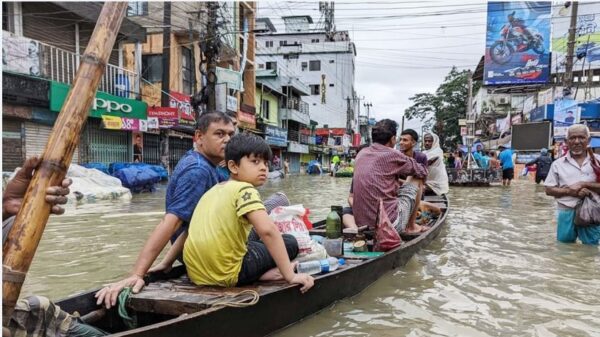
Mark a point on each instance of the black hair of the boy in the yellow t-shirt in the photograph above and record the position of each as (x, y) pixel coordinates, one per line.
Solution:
(247, 144)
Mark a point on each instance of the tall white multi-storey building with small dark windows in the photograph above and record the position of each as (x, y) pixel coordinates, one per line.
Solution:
(325, 64)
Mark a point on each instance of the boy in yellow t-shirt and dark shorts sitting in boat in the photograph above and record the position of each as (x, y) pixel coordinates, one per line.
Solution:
(217, 250)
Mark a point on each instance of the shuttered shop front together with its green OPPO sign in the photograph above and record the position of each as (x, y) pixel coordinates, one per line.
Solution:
(113, 124)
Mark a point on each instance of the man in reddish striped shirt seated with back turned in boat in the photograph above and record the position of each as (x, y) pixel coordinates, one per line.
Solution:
(376, 176)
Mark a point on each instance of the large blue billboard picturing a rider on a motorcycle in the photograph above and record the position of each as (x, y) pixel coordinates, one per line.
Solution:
(517, 42)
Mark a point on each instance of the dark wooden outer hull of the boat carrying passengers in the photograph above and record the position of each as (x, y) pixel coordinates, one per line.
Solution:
(277, 309)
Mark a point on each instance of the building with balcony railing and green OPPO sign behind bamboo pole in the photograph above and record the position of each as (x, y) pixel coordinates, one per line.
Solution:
(41, 50)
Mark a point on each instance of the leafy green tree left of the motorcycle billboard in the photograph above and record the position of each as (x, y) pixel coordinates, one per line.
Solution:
(440, 112)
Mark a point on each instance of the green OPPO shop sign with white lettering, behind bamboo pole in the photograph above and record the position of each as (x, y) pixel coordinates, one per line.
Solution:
(103, 105)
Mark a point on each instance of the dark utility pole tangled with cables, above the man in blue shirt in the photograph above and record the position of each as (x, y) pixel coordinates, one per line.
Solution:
(211, 53)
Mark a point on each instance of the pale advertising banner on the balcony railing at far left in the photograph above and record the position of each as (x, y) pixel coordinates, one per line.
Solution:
(20, 55)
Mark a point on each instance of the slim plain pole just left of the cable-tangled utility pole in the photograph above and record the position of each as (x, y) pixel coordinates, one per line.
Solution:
(165, 88)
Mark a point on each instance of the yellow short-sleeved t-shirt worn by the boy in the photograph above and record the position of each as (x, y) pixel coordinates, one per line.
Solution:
(218, 233)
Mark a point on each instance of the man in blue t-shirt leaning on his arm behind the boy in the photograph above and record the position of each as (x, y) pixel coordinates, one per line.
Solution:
(195, 174)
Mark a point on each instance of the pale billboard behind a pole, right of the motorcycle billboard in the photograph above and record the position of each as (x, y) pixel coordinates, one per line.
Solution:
(587, 37)
